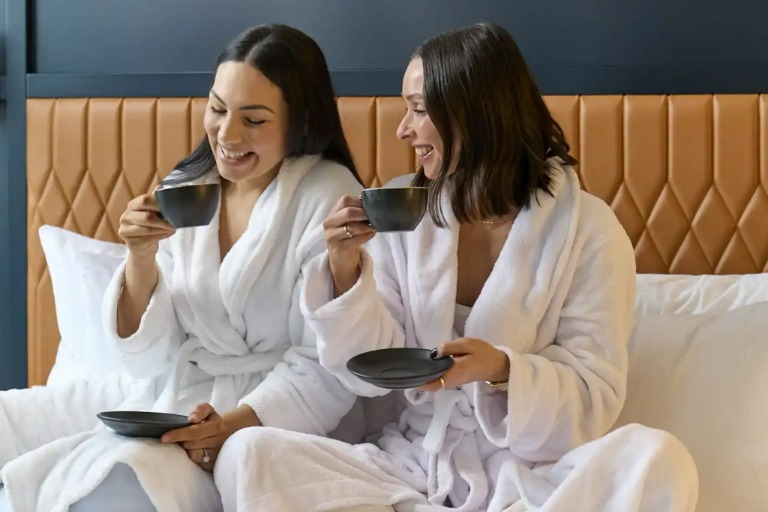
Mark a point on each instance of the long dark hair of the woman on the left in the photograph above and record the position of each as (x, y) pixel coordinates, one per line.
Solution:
(294, 62)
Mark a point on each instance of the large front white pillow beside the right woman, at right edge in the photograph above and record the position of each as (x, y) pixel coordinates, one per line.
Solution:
(704, 378)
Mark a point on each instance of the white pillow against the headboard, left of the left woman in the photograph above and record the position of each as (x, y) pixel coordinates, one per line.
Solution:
(80, 268)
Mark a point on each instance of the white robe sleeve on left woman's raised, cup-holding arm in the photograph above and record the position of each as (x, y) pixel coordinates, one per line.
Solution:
(148, 351)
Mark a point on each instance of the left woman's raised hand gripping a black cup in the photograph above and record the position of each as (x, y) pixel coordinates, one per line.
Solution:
(141, 228)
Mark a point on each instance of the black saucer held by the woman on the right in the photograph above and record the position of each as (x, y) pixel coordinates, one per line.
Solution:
(398, 368)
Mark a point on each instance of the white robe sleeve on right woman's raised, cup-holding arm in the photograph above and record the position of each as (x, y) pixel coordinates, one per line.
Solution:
(370, 316)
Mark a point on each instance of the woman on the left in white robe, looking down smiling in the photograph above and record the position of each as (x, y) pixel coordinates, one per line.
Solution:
(207, 318)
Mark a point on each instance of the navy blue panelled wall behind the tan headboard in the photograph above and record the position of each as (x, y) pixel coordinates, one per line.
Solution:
(58, 48)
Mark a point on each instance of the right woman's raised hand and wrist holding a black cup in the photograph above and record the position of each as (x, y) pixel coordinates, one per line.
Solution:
(346, 230)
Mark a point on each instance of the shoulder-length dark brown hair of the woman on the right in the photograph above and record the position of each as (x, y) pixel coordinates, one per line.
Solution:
(488, 110)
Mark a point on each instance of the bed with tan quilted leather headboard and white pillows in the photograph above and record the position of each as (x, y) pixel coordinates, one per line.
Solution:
(686, 175)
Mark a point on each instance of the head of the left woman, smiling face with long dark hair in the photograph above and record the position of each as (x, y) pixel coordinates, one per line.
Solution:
(254, 92)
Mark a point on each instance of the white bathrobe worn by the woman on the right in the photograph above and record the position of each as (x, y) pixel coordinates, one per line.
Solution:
(559, 303)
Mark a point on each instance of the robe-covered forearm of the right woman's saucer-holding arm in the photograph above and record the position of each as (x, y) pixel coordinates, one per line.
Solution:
(551, 406)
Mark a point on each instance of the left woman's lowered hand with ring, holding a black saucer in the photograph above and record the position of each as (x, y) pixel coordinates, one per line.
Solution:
(203, 440)
